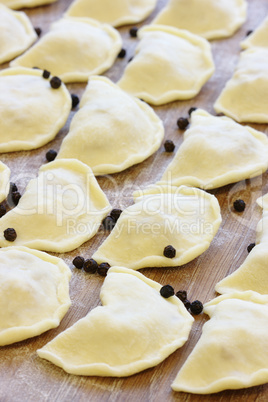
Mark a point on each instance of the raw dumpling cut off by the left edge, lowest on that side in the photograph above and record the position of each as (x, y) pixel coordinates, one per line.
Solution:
(34, 293)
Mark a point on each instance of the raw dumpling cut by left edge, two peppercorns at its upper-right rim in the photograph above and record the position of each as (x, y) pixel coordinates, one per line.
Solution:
(34, 112)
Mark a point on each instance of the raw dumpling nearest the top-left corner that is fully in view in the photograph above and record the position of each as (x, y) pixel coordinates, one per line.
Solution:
(74, 49)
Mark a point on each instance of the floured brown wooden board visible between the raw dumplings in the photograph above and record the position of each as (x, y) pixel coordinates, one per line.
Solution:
(26, 377)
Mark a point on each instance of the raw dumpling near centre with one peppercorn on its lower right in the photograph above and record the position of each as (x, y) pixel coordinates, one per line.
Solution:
(185, 218)
